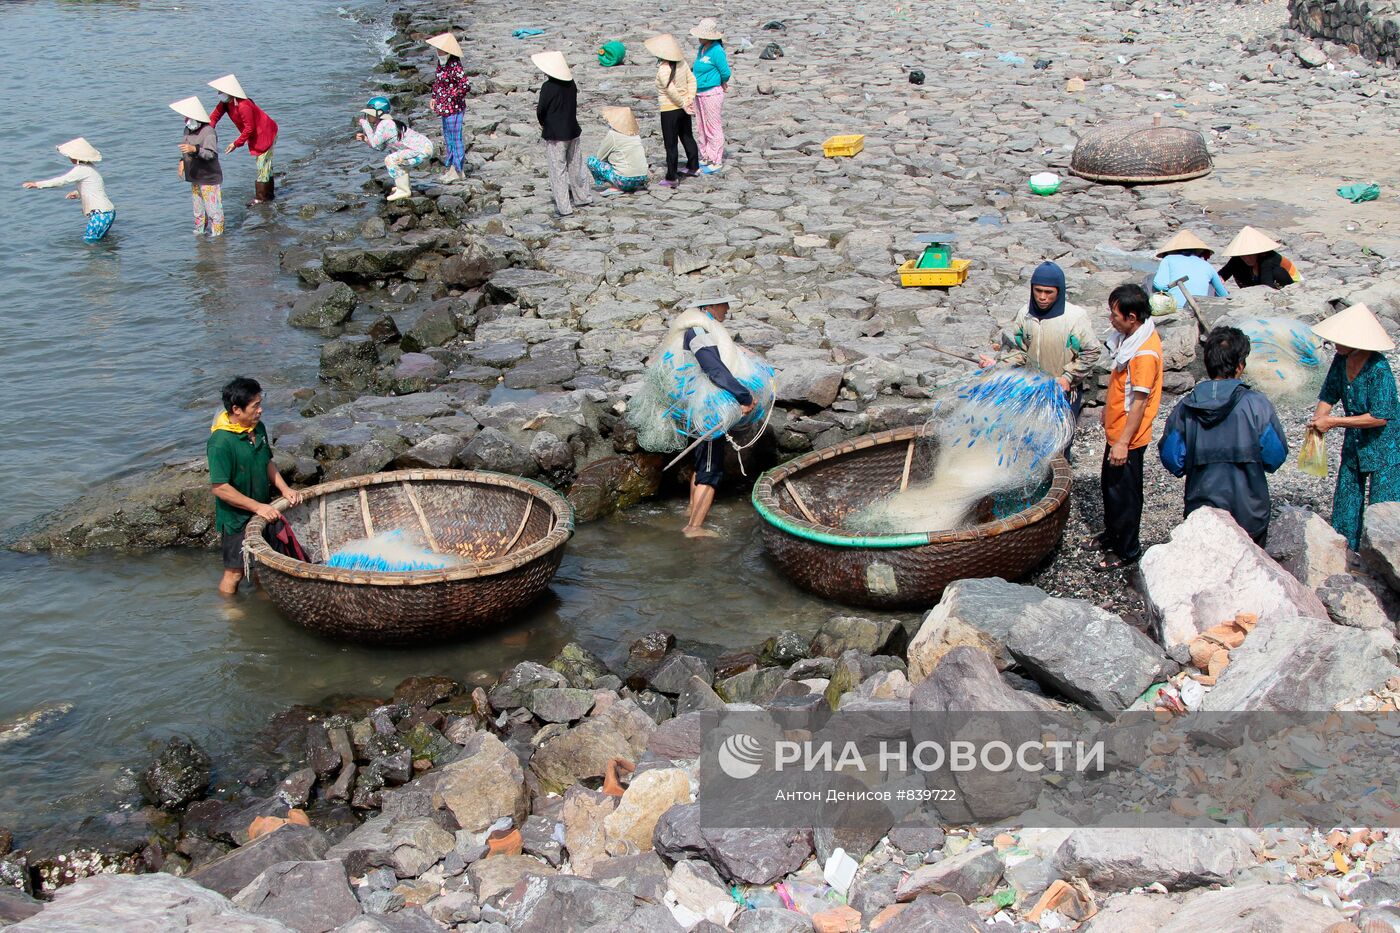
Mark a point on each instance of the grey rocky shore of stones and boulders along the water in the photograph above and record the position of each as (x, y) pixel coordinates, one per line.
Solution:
(470, 327)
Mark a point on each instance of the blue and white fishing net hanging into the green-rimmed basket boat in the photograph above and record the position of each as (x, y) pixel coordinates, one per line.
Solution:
(995, 439)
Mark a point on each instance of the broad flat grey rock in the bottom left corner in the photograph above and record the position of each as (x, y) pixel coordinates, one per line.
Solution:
(142, 903)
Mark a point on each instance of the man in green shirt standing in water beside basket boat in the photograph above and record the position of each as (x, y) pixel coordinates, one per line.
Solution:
(241, 473)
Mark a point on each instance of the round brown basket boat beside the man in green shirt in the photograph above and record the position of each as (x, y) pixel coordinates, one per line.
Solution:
(512, 532)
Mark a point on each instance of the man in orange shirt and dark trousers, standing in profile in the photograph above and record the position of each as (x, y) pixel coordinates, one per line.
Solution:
(1135, 396)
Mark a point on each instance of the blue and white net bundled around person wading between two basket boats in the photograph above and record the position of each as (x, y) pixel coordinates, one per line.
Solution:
(678, 403)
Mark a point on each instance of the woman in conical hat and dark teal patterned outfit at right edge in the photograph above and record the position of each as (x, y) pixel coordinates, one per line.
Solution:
(1361, 380)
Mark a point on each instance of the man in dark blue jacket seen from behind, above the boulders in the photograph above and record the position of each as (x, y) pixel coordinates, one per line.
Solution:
(1224, 438)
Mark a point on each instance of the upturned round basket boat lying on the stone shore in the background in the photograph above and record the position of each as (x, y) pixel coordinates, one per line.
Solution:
(1140, 153)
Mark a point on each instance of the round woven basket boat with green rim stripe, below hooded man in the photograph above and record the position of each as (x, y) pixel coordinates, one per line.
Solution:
(806, 501)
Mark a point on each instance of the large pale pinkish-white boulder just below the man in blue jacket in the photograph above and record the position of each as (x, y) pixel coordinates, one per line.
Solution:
(1212, 571)
